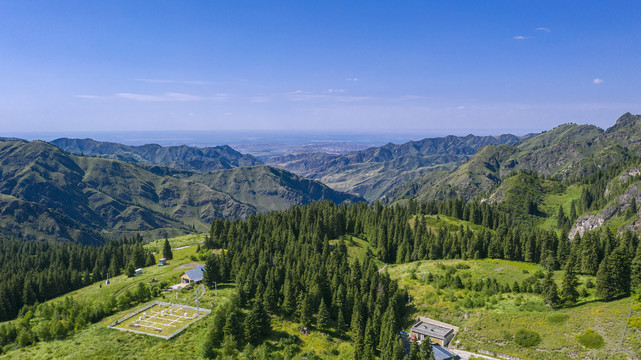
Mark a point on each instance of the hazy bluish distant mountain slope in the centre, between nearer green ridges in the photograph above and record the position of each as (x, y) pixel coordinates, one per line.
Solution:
(373, 172)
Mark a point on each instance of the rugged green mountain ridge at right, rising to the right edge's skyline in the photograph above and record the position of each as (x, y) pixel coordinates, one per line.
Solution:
(568, 151)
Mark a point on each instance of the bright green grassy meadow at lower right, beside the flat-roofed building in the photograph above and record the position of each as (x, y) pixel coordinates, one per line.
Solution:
(492, 324)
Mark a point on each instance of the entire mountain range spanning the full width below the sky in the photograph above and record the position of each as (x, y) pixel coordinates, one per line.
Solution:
(108, 189)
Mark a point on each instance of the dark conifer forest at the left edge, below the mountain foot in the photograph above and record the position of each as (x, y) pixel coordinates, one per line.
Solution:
(33, 272)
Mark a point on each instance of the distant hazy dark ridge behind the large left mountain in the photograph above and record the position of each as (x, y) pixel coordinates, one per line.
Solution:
(182, 157)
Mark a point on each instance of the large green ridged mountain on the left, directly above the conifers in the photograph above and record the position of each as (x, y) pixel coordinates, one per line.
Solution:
(47, 193)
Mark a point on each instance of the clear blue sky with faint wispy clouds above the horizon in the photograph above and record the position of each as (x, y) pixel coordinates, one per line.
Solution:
(427, 67)
